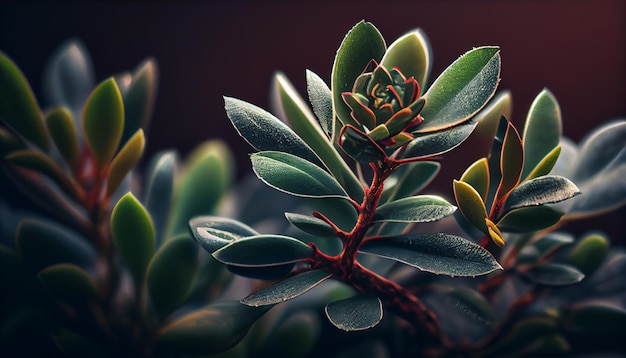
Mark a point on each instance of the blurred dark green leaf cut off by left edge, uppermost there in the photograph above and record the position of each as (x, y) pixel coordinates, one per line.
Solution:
(18, 106)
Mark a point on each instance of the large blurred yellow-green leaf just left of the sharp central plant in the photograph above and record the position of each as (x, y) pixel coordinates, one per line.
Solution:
(205, 178)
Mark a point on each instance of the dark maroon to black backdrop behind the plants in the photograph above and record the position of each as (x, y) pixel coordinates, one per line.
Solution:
(205, 50)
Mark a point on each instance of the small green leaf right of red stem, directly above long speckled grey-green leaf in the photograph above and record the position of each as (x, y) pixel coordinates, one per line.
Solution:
(422, 208)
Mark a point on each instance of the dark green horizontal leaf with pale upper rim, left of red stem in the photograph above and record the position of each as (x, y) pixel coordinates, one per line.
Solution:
(263, 250)
